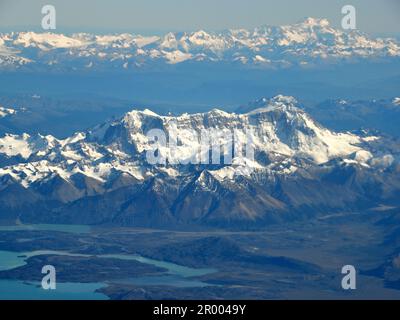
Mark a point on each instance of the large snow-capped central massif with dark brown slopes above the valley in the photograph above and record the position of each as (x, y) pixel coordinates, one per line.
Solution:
(103, 175)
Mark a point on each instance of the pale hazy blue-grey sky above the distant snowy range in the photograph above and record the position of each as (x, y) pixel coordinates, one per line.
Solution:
(159, 16)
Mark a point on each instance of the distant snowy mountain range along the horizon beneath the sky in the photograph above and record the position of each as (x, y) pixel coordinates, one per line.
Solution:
(306, 43)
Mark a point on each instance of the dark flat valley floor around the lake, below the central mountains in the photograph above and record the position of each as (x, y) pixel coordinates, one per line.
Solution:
(293, 260)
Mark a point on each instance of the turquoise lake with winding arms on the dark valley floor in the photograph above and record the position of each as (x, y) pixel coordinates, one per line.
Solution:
(176, 275)
